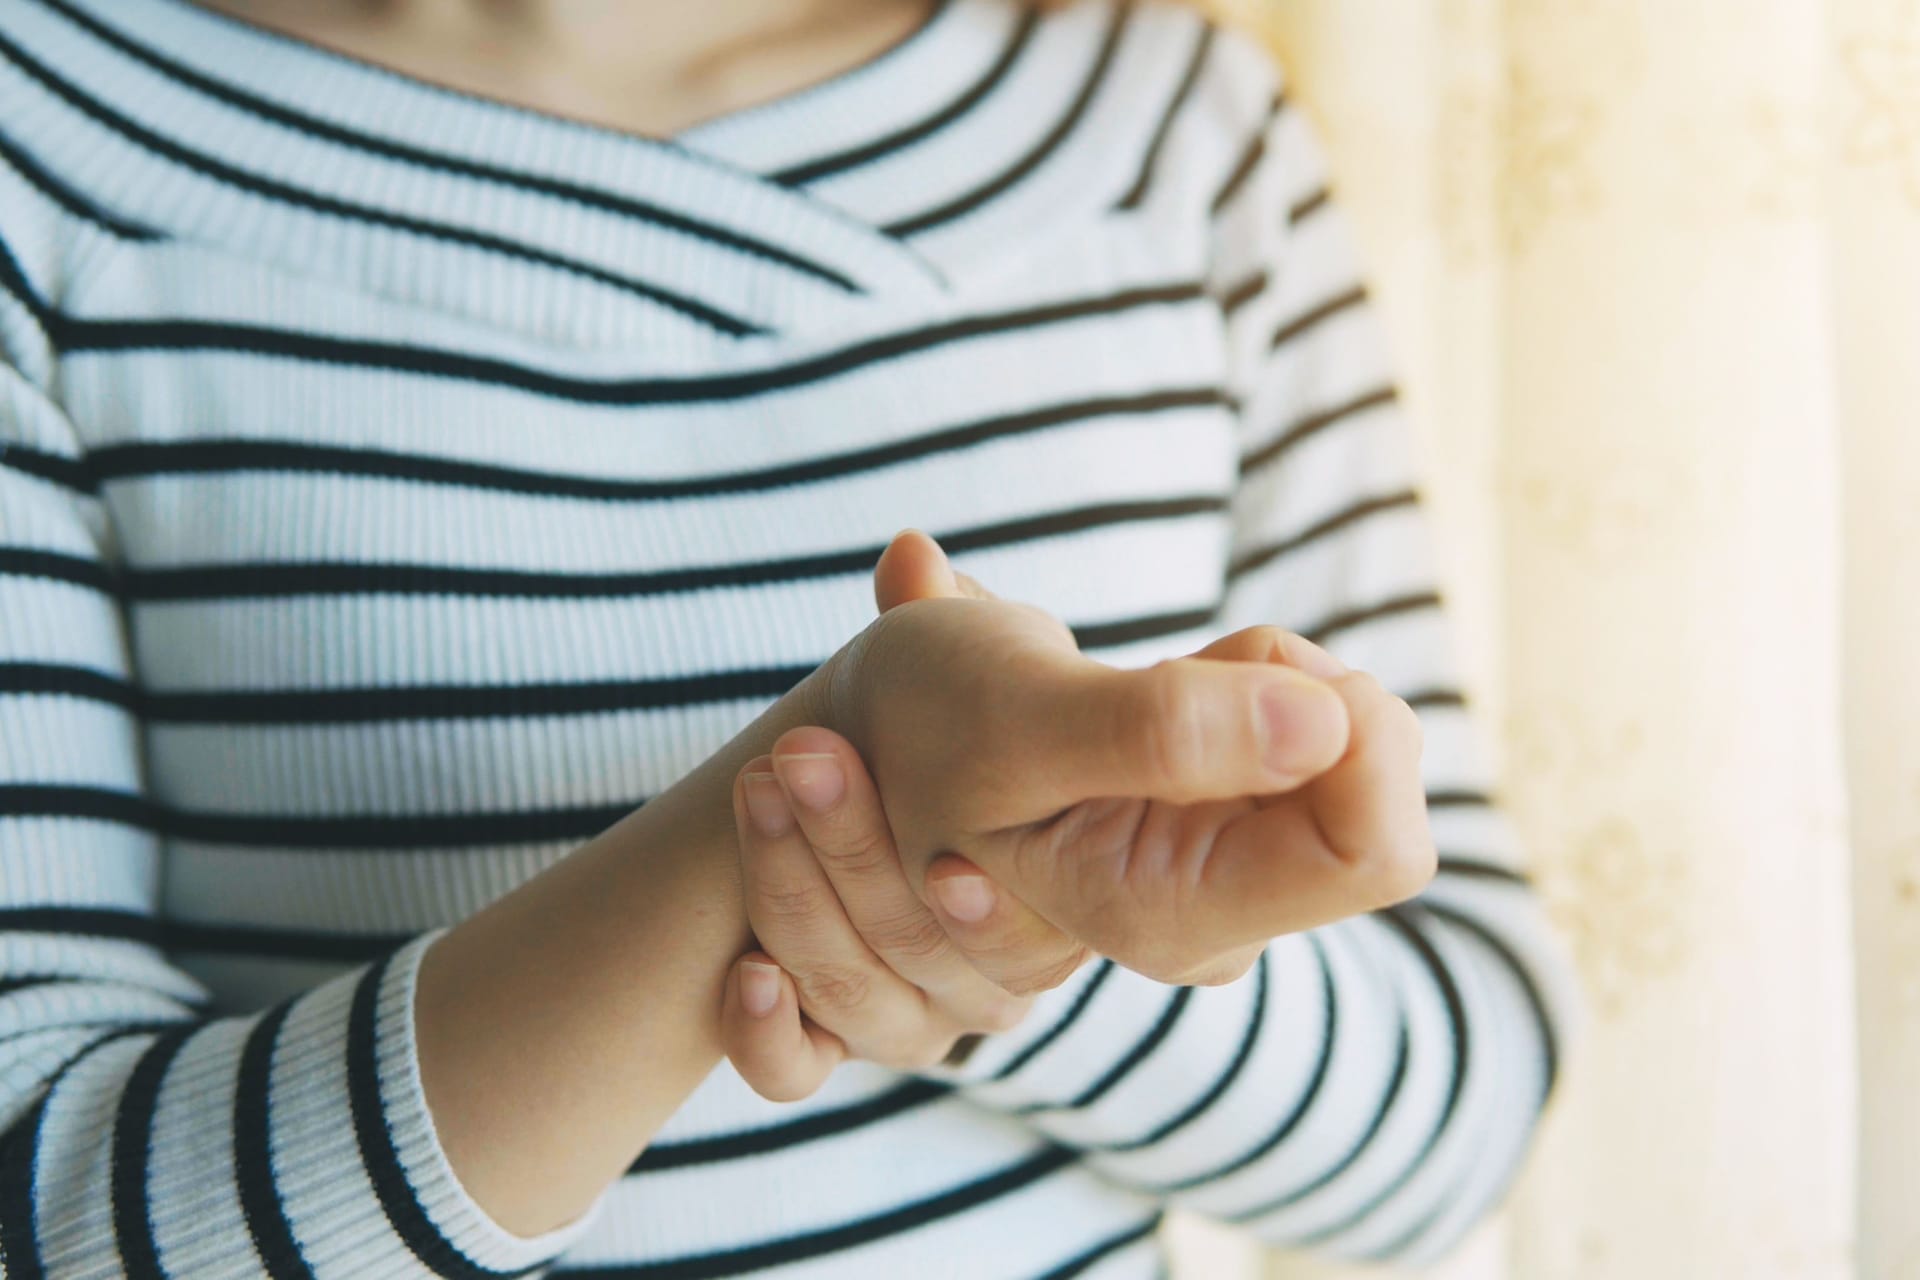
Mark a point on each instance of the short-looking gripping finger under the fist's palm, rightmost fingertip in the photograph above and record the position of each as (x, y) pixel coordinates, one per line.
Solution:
(999, 936)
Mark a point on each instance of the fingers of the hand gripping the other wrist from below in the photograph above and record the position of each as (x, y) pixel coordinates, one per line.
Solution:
(867, 970)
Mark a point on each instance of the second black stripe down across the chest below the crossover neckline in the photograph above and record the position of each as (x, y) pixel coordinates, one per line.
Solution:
(137, 462)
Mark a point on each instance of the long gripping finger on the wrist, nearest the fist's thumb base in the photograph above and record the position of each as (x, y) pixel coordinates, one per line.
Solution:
(844, 822)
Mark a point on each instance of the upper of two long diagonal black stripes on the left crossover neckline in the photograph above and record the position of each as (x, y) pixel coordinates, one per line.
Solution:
(590, 197)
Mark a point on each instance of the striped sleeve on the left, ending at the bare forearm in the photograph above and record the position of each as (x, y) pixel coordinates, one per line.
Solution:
(139, 1133)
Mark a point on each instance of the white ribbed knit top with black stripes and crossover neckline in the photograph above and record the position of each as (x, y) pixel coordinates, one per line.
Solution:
(396, 488)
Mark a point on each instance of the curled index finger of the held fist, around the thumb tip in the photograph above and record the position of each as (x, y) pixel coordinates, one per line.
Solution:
(1353, 841)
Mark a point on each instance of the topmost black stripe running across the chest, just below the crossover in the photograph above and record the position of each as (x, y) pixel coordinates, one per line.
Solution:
(85, 335)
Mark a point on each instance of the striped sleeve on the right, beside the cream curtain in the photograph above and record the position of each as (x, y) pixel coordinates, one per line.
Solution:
(1368, 1089)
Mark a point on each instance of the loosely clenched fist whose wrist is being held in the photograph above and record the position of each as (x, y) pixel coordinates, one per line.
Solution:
(1172, 818)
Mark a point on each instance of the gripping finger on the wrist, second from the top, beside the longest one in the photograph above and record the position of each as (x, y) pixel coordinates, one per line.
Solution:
(798, 918)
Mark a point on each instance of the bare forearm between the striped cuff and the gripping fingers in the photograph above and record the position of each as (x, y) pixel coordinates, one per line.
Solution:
(567, 1022)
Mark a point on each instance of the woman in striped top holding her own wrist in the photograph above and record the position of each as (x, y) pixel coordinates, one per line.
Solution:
(433, 429)
